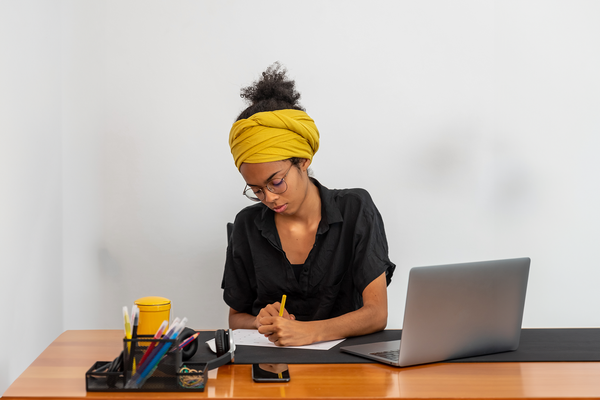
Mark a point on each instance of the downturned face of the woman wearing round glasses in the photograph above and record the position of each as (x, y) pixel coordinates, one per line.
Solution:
(295, 177)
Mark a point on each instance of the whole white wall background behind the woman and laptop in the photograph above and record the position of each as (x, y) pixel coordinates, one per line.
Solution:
(474, 125)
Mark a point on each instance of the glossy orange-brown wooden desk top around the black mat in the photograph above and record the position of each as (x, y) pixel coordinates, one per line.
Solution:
(59, 373)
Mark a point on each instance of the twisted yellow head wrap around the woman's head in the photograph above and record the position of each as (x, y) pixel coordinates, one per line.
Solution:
(273, 136)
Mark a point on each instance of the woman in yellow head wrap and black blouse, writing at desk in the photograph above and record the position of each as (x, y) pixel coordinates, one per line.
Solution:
(324, 249)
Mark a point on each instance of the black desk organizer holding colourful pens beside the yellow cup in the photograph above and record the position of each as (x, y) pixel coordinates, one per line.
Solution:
(171, 375)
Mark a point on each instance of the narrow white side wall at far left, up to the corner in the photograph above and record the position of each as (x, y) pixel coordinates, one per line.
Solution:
(30, 183)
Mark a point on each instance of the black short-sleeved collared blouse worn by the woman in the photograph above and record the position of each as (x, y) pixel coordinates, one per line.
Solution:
(350, 251)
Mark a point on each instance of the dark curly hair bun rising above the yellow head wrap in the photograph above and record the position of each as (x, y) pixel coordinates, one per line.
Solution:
(273, 91)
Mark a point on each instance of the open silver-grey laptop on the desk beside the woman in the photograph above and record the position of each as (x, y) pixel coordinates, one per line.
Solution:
(455, 311)
